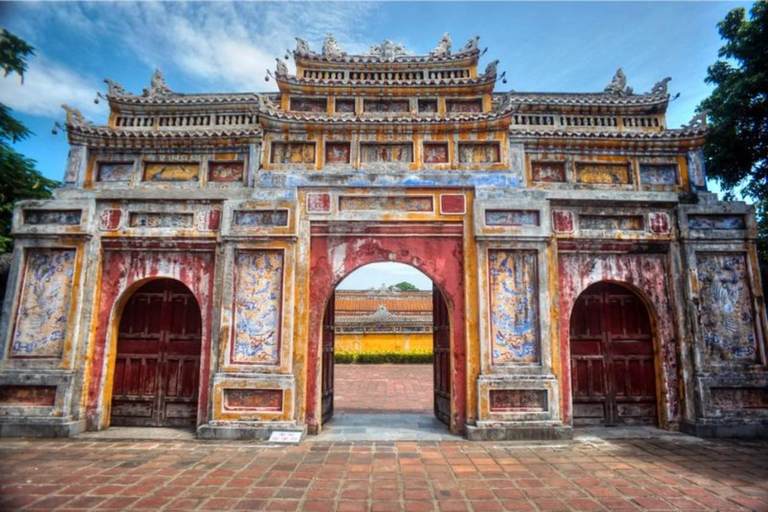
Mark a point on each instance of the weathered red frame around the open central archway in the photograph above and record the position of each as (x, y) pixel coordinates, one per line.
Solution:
(439, 256)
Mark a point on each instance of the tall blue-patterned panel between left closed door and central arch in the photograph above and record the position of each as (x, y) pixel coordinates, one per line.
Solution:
(258, 307)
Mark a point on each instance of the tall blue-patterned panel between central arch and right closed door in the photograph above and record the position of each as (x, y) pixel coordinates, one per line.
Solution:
(514, 306)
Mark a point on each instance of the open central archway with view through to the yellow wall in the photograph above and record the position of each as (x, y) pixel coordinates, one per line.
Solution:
(404, 326)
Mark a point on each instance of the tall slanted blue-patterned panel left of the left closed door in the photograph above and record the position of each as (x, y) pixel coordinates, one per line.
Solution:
(43, 312)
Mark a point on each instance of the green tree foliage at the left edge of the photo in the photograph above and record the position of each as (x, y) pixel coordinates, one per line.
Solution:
(20, 179)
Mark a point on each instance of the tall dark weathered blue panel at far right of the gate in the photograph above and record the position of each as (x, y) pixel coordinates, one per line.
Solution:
(727, 318)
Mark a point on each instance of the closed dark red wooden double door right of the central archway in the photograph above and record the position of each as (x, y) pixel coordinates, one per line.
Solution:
(612, 360)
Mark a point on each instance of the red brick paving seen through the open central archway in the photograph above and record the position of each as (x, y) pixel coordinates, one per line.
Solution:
(386, 388)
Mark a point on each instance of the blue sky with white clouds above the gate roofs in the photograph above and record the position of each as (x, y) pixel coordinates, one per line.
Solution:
(217, 47)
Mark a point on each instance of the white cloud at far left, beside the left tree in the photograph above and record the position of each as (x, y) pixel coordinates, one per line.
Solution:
(46, 86)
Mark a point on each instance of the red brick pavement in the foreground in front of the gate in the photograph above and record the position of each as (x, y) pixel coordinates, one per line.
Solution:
(676, 473)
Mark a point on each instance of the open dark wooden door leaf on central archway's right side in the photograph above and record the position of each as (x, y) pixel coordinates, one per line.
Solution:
(441, 336)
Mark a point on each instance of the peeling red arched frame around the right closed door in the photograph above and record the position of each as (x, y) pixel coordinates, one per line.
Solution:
(644, 274)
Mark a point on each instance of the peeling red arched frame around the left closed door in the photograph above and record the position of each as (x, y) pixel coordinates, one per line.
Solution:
(123, 272)
